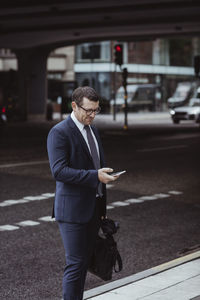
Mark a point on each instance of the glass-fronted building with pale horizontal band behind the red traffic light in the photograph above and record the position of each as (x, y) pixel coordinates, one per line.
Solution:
(162, 61)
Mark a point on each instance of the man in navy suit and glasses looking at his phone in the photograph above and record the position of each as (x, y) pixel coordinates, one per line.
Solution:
(77, 164)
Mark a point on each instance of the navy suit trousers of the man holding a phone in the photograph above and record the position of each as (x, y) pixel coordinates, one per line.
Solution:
(78, 241)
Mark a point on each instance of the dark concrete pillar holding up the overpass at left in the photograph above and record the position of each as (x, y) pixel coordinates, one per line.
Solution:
(32, 74)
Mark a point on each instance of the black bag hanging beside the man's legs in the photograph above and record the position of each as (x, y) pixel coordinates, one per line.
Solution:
(106, 257)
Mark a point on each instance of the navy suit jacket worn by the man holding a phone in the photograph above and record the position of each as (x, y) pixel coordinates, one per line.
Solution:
(76, 178)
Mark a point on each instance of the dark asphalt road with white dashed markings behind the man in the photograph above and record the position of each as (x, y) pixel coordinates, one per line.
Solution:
(157, 201)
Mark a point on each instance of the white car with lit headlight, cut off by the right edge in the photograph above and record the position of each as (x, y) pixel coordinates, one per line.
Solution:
(190, 112)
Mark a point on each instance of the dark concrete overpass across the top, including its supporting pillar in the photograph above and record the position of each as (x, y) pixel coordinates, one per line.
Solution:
(34, 28)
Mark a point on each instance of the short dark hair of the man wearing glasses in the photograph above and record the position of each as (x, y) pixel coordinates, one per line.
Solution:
(84, 91)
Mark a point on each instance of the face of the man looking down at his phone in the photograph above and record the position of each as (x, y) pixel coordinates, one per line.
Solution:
(81, 115)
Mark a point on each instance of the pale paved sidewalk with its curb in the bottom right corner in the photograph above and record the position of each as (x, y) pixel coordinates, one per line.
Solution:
(176, 280)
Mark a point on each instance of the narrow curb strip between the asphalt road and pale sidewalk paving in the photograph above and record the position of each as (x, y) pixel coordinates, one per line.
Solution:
(141, 275)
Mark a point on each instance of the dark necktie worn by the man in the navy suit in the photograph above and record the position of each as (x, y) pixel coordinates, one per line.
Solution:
(94, 154)
